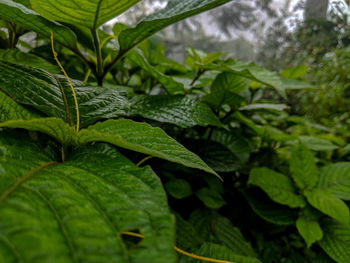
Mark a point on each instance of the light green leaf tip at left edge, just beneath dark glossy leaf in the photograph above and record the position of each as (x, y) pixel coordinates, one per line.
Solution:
(10, 110)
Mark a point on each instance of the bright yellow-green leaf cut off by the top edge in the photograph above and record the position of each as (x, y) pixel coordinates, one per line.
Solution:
(91, 14)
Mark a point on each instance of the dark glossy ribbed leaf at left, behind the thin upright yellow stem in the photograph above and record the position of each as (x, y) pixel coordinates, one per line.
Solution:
(52, 95)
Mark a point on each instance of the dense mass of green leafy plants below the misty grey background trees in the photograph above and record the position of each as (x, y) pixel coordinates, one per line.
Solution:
(129, 153)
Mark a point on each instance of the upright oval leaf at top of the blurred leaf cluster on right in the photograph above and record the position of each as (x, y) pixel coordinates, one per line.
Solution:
(303, 167)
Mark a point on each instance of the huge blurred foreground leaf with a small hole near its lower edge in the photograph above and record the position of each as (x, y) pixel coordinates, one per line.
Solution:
(75, 211)
